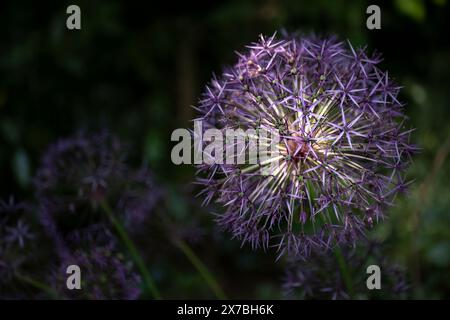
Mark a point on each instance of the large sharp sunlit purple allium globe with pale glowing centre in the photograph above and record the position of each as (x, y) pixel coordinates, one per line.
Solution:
(343, 143)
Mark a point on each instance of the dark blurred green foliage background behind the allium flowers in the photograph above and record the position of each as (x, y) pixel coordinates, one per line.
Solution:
(136, 68)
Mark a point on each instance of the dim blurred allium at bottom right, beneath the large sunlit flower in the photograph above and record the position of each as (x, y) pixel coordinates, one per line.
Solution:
(321, 277)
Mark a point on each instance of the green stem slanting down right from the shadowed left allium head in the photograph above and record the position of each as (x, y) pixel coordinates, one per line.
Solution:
(148, 280)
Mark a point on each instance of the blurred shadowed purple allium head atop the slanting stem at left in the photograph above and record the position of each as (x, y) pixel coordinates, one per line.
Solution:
(80, 173)
